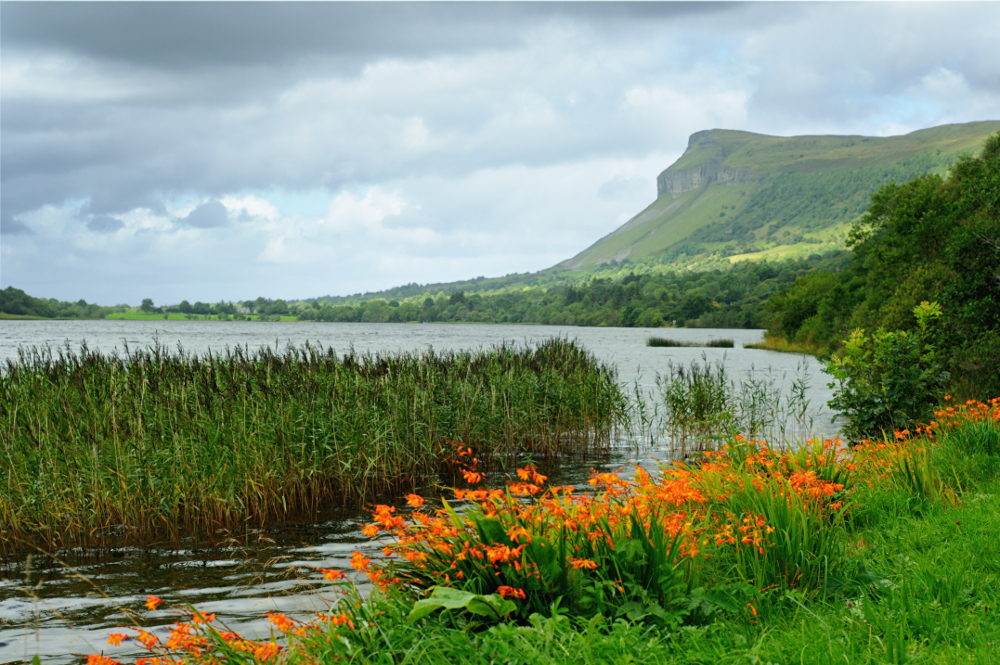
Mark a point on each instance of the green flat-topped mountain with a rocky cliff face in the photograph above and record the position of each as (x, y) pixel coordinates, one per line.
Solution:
(736, 195)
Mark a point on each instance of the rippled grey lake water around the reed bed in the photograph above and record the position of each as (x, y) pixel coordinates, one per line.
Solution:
(55, 611)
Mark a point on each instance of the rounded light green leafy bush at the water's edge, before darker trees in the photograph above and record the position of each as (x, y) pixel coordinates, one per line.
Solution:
(889, 380)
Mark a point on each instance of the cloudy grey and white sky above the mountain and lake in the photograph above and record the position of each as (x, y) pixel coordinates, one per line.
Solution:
(229, 150)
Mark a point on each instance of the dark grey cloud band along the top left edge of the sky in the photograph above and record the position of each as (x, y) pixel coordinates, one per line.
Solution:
(198, 34)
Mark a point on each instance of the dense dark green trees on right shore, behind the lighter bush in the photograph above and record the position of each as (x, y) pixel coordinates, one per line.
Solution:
(929, 239)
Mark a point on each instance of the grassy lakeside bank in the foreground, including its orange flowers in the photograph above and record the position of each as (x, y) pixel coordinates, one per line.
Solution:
(883, 554)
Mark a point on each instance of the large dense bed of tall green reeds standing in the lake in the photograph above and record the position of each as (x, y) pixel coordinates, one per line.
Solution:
(154, 443)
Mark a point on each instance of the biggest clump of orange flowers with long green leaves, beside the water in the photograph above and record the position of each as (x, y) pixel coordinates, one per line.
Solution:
(605, 547)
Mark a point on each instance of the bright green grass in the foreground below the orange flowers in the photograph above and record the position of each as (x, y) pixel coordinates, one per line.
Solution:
(926, 591)
